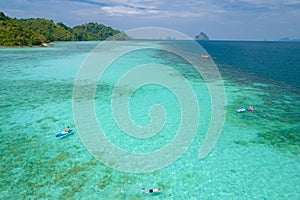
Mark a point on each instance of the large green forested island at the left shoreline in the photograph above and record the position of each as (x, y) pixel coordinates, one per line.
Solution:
(39, 31)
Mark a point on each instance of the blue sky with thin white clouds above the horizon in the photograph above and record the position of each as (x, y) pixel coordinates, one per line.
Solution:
(219, 19)
